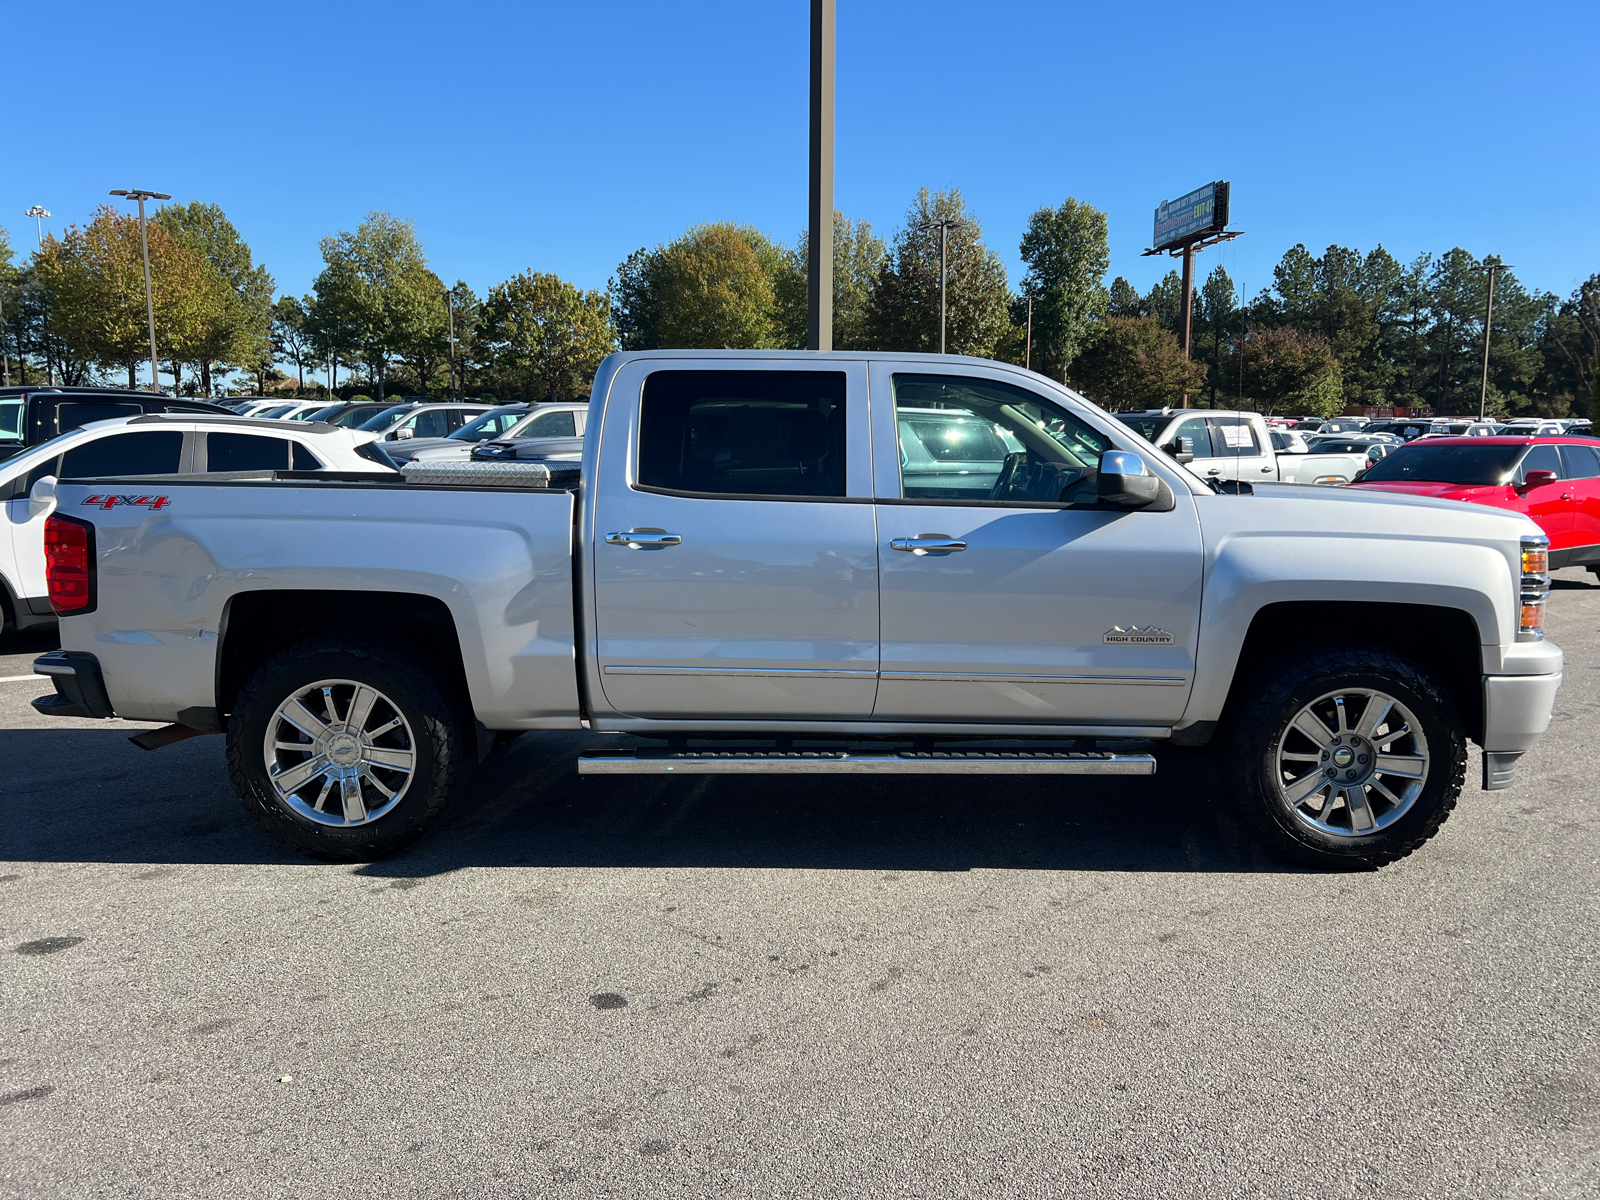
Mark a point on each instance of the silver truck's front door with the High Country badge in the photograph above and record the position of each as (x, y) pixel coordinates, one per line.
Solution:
(1009, 594)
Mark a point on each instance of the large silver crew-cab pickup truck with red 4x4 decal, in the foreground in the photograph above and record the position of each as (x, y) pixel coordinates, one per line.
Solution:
(834, 564)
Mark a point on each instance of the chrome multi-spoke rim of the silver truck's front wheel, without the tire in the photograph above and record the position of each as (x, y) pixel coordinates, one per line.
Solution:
(1353, 762)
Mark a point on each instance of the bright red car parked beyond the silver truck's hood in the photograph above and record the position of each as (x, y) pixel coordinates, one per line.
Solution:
(1553, 479)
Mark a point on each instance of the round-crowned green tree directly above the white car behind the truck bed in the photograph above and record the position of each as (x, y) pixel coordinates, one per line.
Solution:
(377, 297)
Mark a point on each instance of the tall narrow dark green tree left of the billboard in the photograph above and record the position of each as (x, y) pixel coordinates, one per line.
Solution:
(1068, 255)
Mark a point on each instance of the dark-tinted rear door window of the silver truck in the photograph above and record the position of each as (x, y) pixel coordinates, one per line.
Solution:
(743, 433)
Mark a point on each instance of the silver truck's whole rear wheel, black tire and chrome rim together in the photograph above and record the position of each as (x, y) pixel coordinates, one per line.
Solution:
(343, 751)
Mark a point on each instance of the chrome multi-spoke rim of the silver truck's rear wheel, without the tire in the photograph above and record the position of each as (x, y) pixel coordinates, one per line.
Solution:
(340, 753)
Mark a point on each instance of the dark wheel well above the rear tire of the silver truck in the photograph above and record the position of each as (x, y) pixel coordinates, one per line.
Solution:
(260, 625)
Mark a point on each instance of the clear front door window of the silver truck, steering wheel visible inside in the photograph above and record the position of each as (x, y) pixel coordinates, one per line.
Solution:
(977, 441)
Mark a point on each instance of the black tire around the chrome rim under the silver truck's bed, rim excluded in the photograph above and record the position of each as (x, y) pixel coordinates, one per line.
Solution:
(442, 754)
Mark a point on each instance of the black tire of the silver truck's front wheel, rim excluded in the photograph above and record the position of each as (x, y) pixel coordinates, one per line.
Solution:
(1249, 761)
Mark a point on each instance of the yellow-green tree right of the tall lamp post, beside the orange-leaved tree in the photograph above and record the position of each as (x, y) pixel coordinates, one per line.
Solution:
(231, 324)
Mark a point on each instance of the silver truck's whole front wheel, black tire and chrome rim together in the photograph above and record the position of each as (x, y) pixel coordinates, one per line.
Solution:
(1353, 759)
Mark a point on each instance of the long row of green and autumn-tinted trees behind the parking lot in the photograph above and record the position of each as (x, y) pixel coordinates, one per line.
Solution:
(1334, 330)
